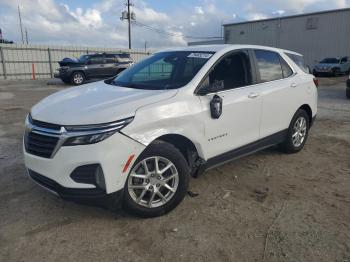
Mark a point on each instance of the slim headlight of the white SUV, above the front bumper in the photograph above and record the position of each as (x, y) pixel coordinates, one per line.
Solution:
(91, 134)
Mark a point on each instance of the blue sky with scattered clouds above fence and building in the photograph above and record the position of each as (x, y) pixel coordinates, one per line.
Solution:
(97, 23)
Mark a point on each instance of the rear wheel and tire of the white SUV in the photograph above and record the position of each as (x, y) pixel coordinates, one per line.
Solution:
(291, 145)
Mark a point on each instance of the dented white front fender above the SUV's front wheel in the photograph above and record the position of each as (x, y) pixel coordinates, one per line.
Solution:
(168, 117)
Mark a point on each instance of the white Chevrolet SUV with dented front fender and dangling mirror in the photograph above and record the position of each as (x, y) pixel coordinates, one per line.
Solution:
(138, 137)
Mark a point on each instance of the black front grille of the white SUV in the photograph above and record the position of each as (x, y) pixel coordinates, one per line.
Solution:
(40, 145)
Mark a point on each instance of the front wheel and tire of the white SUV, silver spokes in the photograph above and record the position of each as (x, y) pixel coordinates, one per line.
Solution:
(139, 187)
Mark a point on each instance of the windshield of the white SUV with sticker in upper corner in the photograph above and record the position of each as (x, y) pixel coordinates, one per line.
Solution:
(165, 70)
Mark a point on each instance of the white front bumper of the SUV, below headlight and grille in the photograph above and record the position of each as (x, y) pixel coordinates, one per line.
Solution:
(111, 154)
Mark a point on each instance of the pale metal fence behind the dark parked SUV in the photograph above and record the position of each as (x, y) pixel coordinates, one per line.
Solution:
(41, 61)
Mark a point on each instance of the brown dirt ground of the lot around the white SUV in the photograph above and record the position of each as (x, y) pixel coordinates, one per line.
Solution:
(265, 207)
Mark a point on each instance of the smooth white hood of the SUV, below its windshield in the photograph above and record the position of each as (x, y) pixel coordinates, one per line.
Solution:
(95, 103)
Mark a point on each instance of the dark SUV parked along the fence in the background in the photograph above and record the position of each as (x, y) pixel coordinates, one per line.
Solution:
(76, 71)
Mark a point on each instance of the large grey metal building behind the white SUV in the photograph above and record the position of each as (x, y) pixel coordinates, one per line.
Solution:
(315, 35)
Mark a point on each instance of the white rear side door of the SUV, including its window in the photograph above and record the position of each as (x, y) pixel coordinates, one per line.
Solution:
(278, 88)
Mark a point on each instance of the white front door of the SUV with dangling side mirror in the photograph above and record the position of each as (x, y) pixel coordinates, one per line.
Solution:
(231, 80)
